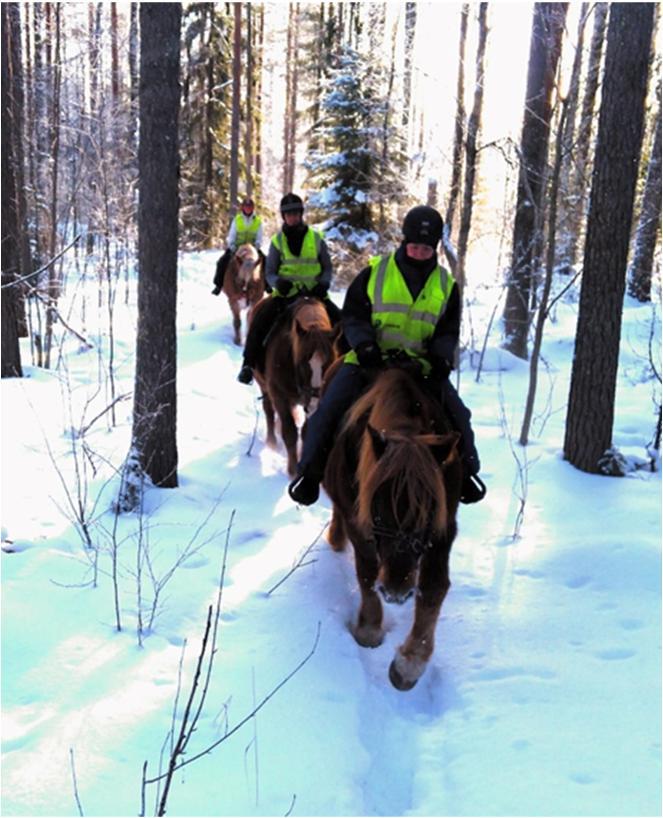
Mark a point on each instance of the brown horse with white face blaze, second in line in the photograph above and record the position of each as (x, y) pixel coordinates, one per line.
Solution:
(299, 350)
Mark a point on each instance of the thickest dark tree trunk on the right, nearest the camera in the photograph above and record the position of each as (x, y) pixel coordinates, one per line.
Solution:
(594, 374)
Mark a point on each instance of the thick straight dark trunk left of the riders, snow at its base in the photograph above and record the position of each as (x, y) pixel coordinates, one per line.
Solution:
(155, 394)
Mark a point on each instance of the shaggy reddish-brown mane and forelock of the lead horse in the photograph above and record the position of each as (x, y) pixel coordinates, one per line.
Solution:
(401, 414)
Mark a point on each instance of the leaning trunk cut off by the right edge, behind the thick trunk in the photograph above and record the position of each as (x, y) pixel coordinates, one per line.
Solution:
(640, 272)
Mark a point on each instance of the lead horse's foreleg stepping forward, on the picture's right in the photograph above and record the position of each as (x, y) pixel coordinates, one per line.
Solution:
(412, 656)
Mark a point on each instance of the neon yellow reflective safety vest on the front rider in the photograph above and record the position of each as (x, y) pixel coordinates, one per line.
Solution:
(401, 323)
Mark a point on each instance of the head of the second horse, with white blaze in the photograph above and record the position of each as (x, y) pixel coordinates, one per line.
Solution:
(312, 339)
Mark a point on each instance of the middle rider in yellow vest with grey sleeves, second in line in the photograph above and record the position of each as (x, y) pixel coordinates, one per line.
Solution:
(298, 263)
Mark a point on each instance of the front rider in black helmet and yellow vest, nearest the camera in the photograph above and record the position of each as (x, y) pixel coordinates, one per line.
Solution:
(403, 305)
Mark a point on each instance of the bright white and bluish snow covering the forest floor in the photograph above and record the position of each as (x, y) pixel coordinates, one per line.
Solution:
(543, 696)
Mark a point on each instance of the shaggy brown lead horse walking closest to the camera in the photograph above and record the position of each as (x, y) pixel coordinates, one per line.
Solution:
(394, 476)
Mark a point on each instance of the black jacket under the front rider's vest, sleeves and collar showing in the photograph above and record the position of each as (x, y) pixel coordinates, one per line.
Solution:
(357, 310)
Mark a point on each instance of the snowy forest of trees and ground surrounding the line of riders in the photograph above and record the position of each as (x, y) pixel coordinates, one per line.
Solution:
(132, 458)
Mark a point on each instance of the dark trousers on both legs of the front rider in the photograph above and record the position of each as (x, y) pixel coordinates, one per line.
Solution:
(347, 385)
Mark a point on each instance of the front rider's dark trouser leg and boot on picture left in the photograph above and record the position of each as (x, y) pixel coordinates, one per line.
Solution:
(348, 383)
